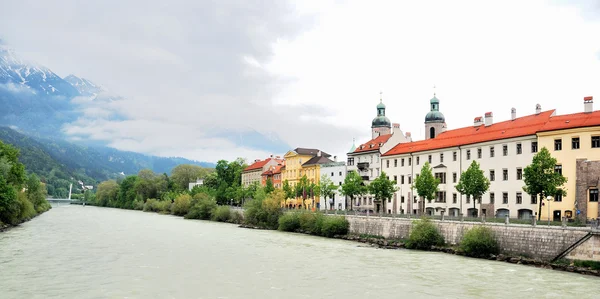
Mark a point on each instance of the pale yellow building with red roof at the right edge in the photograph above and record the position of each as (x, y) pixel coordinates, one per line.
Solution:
(570, 138)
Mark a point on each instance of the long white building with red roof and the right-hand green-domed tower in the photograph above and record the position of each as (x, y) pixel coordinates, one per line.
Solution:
(502, 149)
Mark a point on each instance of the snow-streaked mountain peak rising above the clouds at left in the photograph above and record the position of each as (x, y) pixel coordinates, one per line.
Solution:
(21, 75)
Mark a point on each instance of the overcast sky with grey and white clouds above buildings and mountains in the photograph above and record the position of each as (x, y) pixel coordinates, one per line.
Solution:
(220, 79)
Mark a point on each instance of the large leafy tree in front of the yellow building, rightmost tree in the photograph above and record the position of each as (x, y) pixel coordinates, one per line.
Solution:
(541, 179)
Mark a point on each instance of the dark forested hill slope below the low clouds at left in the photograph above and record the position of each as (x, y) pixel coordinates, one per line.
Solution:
(60, 162)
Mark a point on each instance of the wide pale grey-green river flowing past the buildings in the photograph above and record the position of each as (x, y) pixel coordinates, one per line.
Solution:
(88, 252)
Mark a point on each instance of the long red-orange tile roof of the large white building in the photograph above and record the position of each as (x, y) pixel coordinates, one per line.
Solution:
(522, 126)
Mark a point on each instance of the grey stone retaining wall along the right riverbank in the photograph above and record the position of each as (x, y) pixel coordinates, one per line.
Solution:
(539, 242)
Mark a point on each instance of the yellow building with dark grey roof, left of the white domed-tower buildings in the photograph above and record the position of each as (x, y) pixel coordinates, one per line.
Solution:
(301, 162)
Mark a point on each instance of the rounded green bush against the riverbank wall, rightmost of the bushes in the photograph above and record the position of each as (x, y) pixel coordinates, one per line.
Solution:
(479, 242)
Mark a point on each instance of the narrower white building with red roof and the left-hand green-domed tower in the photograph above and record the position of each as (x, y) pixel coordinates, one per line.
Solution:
(365, 159)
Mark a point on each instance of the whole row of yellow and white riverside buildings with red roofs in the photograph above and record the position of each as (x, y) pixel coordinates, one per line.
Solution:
(503, 150)
